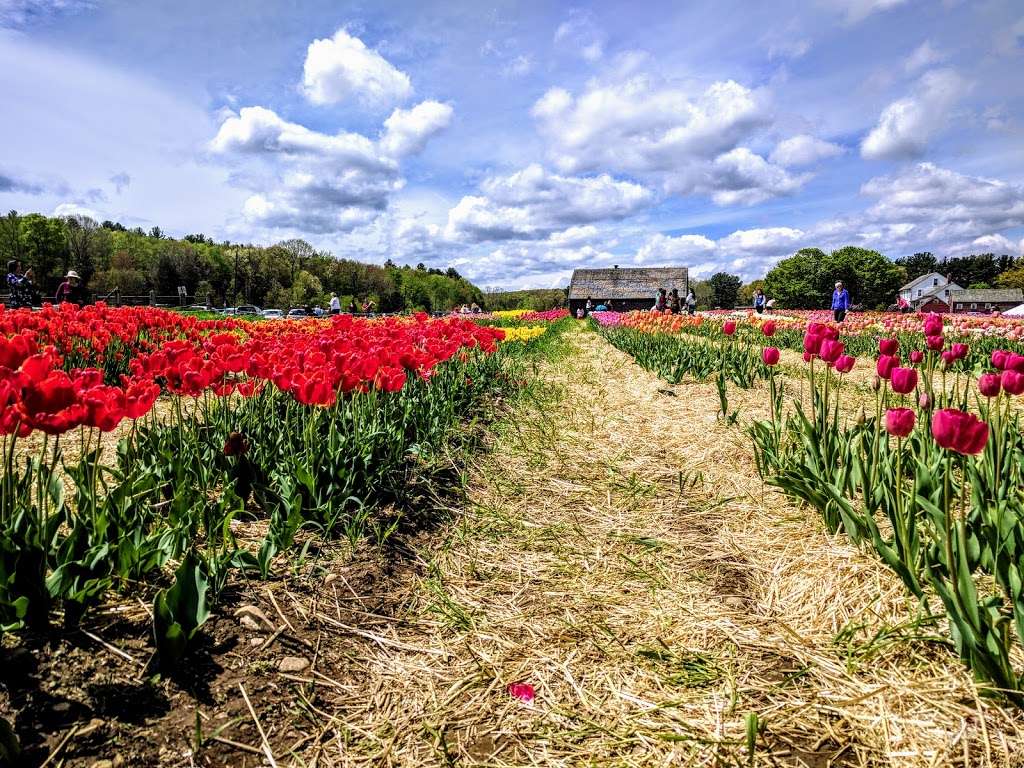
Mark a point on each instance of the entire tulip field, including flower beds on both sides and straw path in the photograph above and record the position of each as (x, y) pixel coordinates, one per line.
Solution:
(510, 538)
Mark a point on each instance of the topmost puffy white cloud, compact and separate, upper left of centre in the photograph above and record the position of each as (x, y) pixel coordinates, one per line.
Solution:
(342, 68)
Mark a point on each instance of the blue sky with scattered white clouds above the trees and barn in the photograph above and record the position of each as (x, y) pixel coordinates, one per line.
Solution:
(520, 141)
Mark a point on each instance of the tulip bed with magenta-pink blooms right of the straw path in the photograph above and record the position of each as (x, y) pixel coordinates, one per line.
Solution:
(930, 476)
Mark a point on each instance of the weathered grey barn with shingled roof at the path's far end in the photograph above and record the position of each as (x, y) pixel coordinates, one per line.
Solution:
(627, 288)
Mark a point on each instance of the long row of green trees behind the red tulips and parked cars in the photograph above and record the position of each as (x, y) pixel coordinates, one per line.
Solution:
(110, 257)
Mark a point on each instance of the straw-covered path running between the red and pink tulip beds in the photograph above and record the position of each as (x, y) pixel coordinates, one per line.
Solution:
(618, 552)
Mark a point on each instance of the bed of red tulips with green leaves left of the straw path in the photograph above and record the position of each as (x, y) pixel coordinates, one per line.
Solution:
(134, 441)
